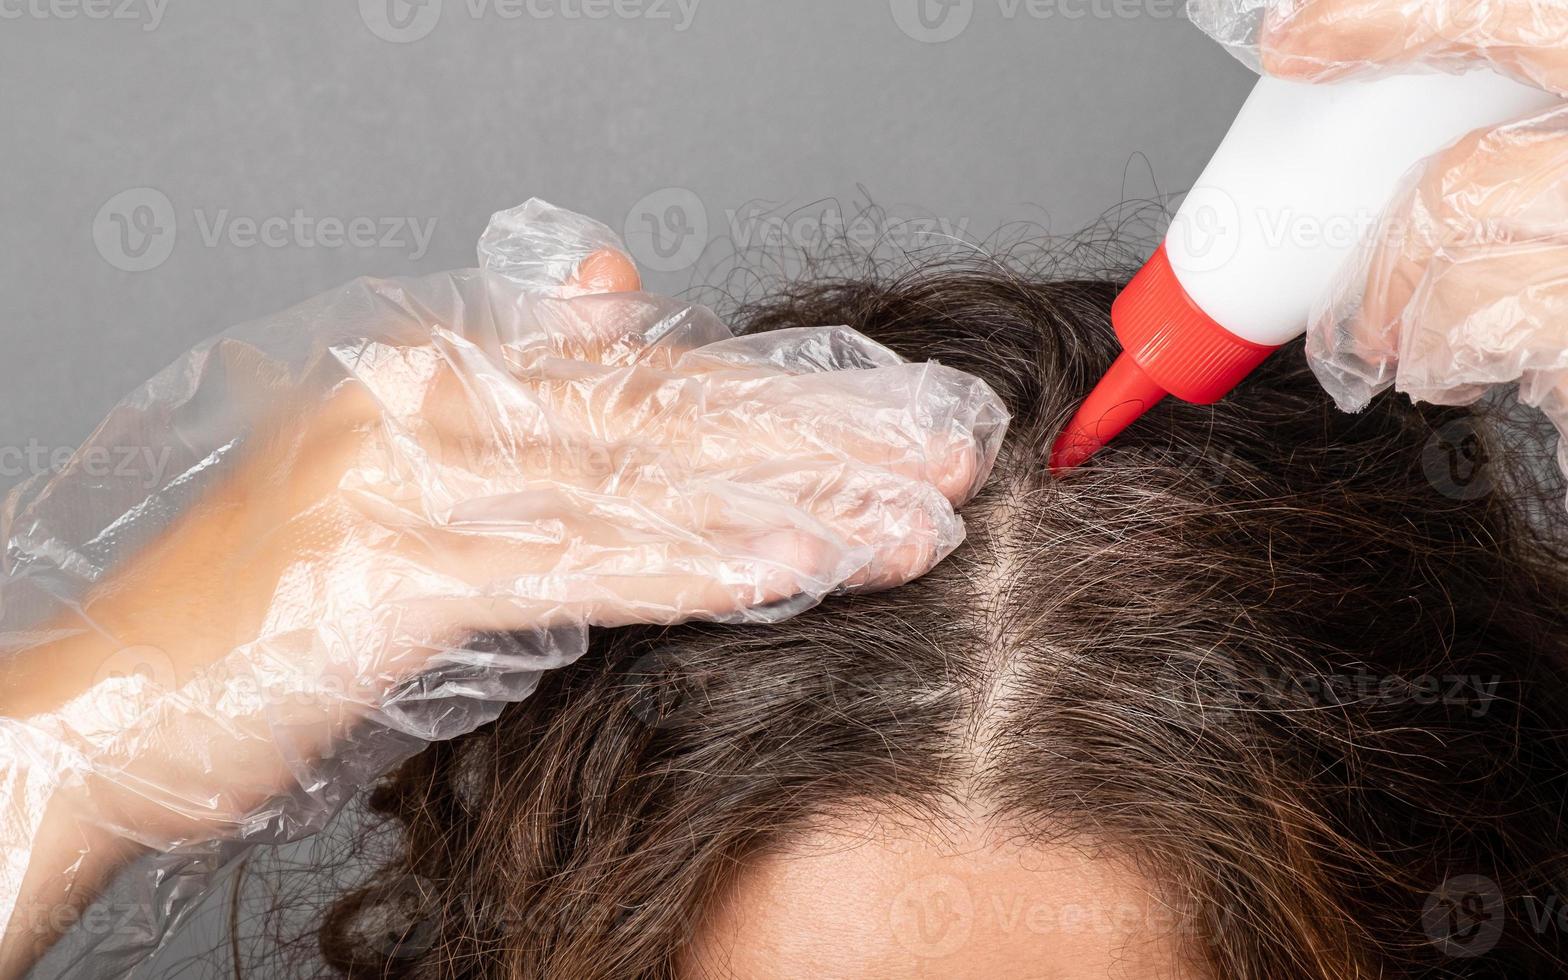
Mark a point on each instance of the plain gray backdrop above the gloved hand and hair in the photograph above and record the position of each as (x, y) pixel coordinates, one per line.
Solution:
(129, 137)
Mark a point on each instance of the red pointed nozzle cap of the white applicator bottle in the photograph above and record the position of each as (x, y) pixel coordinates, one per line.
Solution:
(1171, 347)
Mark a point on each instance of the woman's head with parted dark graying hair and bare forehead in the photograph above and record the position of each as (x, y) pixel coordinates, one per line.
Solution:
(1261, 692)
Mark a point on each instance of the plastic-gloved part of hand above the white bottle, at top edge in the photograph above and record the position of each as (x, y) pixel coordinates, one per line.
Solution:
(1327, 40)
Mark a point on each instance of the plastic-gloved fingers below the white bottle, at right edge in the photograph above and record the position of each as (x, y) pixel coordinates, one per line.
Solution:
(1462, 286)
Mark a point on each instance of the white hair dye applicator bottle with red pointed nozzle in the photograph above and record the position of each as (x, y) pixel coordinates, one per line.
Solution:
(1304, 173)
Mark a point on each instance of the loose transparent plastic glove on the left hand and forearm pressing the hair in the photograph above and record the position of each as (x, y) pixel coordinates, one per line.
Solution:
(379, 517)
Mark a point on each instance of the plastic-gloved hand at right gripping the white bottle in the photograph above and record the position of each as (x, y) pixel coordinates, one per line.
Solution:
(1464, 283)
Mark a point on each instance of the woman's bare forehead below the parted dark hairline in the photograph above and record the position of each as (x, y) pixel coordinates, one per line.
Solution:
(869, 898)
